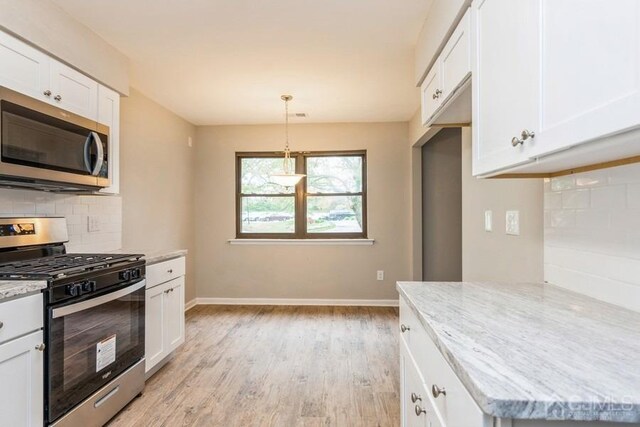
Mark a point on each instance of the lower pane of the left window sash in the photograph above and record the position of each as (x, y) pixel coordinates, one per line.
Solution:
(268, 215)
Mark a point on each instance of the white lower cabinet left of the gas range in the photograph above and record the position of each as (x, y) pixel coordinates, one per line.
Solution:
(21, 363)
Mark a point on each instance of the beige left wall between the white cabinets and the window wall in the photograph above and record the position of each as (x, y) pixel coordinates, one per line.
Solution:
(156, 184)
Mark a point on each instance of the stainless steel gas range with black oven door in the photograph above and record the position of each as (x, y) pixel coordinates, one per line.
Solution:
(94, 311)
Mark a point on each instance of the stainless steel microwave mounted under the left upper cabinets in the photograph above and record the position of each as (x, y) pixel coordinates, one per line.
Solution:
(47, 148)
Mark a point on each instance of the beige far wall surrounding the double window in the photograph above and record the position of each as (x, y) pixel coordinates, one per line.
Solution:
(324, 272)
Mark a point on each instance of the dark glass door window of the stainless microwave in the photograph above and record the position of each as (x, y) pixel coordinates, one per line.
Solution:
(34, 139)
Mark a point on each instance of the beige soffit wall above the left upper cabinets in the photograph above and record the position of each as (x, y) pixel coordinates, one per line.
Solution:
(48, 27)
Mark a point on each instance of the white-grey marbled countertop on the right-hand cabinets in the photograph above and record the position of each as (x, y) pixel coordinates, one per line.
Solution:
(534, 351)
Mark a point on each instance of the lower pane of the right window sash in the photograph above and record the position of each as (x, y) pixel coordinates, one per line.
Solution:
(334, 214)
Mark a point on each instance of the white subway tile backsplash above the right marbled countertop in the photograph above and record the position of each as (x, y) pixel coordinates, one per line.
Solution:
(592, 234)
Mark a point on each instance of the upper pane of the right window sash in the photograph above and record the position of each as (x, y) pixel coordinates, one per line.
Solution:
(339, 174)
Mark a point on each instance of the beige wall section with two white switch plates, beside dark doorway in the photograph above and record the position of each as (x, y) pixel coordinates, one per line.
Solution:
(496, 256)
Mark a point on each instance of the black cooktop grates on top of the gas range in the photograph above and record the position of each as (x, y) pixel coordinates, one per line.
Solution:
(62, 265)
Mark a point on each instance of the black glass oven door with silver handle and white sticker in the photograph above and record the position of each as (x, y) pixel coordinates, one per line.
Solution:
(91, 342)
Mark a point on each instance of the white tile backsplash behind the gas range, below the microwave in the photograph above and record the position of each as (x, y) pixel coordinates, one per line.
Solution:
(76, 210)
